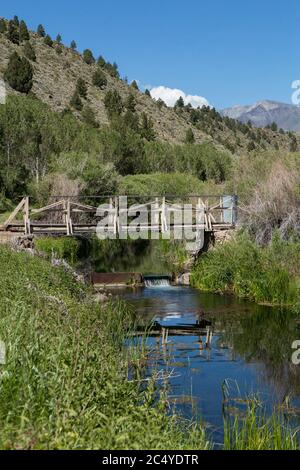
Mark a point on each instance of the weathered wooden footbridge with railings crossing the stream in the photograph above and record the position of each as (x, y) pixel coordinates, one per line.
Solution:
(119, 215)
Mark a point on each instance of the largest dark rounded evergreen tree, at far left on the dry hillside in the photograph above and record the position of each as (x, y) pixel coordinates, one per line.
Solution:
(19, 73)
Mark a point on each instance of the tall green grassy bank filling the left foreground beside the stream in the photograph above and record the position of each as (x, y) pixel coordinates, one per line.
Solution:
(64, 384)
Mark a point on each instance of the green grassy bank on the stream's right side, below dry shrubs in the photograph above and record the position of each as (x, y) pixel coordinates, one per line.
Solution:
(267, 275)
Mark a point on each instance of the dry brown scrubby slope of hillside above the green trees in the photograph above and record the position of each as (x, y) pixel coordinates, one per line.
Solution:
(57, 69)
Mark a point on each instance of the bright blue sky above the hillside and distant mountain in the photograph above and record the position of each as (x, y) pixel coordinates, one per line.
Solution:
(229, 51)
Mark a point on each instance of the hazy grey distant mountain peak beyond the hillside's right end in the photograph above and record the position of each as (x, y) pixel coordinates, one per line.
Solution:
(262, 113)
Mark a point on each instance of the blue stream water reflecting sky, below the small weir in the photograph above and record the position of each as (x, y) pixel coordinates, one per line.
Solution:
(249, 350)
